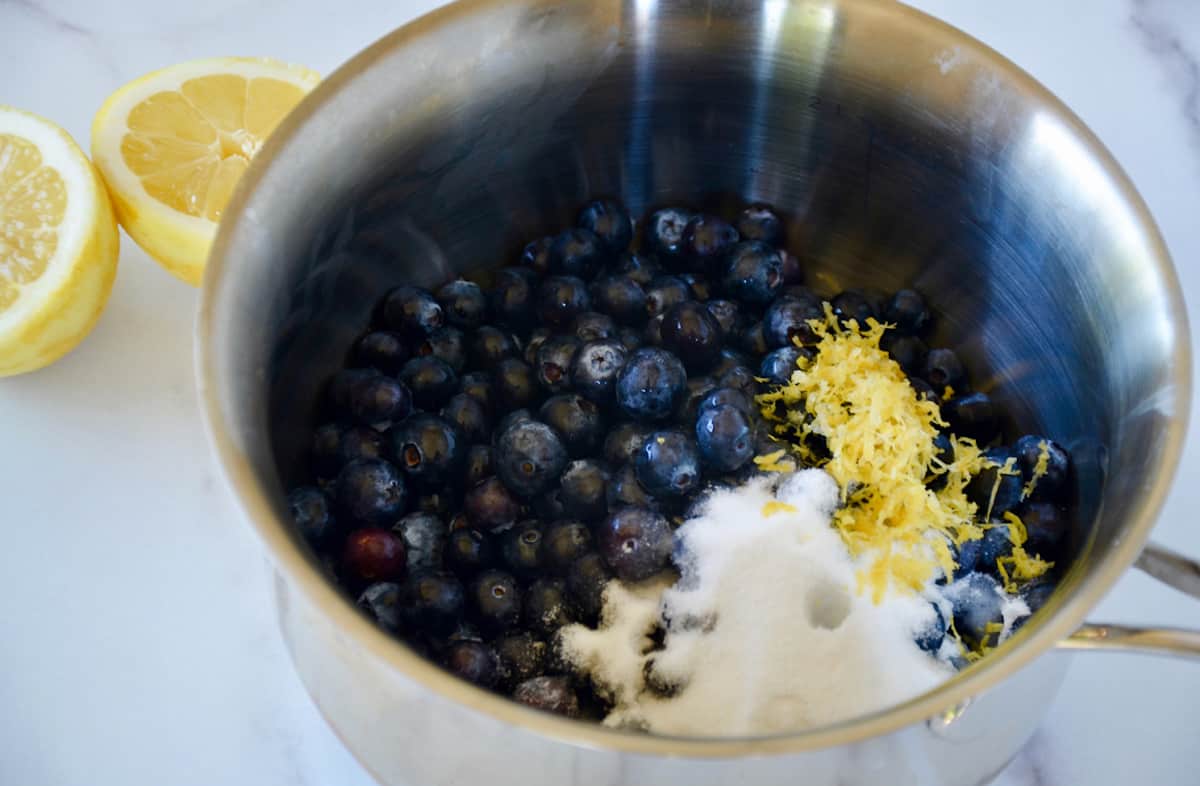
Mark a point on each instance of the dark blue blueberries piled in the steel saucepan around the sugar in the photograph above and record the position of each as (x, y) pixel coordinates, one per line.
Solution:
(491, 457)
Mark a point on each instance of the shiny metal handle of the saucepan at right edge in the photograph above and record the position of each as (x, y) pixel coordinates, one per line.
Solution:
(1174, 571)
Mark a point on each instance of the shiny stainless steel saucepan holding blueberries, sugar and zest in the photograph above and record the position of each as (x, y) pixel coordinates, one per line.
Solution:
(902, 153)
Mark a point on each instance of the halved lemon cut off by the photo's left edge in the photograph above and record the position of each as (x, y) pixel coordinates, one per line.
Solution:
(58, 243)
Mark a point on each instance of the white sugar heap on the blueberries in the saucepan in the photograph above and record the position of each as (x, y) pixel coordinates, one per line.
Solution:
(766, 631)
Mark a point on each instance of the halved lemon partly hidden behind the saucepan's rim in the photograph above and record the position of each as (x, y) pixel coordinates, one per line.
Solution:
(173, 145)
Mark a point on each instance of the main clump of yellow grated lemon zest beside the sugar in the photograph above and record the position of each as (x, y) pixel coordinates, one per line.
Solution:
(880, 439)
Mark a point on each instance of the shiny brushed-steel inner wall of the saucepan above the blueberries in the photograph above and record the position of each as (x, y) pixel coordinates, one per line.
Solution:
(899, 154)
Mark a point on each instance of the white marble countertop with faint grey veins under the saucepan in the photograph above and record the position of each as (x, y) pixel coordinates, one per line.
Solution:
(137, 644)
